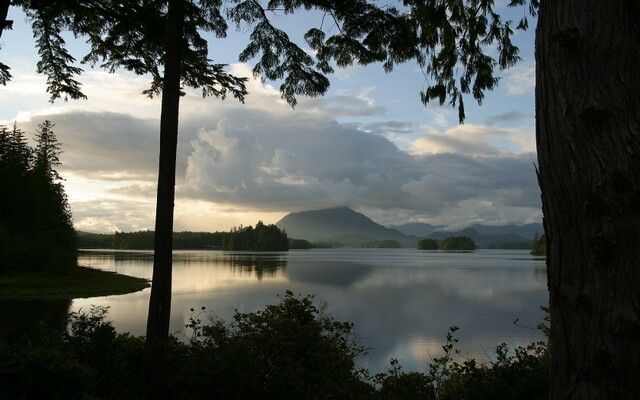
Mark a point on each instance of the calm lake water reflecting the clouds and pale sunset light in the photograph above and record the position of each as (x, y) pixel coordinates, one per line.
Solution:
(402, 301)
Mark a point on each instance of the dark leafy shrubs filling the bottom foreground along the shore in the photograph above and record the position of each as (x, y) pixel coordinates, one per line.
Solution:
(291, 350)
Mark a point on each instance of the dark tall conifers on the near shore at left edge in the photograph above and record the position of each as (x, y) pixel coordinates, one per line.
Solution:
(36, 229)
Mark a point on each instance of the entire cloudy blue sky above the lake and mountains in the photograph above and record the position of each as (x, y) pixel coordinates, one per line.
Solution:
(368, 144)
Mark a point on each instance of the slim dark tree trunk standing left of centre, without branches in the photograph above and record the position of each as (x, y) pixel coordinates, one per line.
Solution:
(160, 300)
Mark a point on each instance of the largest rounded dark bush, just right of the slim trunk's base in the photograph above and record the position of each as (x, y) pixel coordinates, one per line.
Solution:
(289, 350)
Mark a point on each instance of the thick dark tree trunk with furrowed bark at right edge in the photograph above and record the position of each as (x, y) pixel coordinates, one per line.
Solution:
(588, 138)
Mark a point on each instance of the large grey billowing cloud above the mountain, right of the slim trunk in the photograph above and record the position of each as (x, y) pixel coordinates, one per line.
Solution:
(308, 162)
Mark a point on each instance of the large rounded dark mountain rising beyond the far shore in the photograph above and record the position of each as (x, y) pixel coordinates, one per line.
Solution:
(340, 224)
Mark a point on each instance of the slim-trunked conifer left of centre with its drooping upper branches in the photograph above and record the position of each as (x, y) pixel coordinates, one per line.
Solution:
(146, 36)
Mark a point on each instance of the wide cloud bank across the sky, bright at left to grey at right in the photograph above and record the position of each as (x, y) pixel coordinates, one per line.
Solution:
(264, 158)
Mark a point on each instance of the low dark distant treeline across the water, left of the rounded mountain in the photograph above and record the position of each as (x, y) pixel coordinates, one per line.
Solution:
(261, 238)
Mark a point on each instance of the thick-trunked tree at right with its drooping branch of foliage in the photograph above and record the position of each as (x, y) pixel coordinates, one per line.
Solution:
(587, 127)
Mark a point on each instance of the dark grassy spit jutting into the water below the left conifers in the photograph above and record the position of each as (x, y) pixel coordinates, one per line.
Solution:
(82, 282)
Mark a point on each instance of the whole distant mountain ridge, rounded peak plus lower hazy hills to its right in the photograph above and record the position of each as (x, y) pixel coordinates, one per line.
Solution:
(351, 228)
